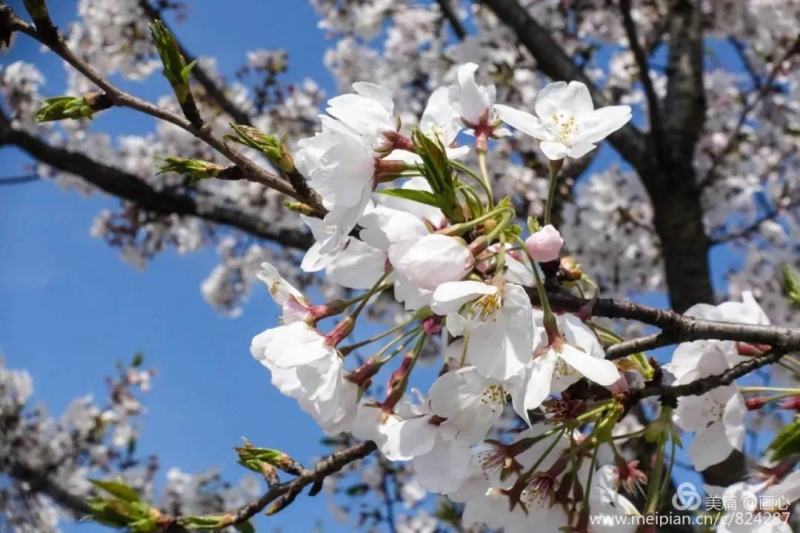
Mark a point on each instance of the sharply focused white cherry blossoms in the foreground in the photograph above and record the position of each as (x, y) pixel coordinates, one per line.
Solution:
(406, 217)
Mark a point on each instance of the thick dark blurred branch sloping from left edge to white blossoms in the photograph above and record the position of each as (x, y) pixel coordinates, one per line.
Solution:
(129, 187)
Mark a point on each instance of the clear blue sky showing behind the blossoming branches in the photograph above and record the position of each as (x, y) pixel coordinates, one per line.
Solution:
(71, 308)
